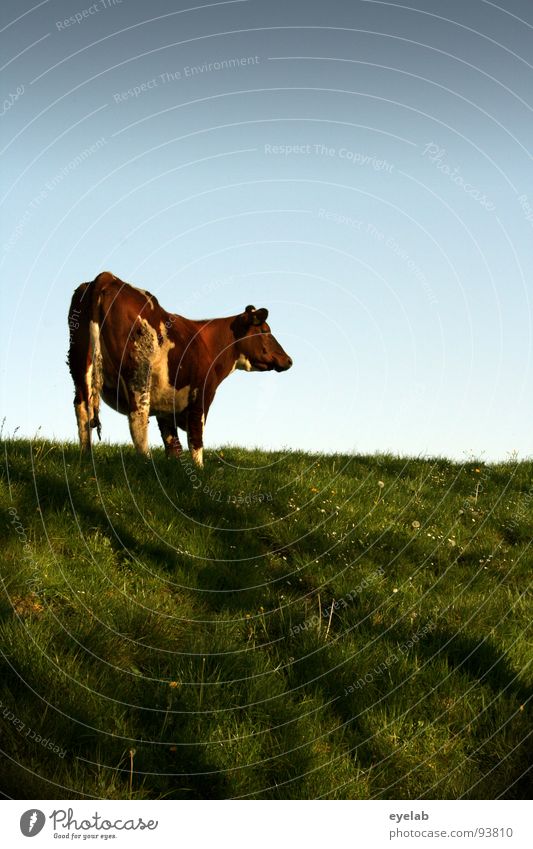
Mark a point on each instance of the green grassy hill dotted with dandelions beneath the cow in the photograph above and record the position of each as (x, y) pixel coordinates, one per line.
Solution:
(277, 626)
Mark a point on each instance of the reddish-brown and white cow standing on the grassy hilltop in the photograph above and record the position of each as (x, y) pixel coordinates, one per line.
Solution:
(144, 361)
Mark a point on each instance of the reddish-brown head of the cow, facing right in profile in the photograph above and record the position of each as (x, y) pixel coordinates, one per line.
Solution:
(255, 347)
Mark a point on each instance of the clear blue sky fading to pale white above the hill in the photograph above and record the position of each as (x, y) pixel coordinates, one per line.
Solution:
(361, 169)
